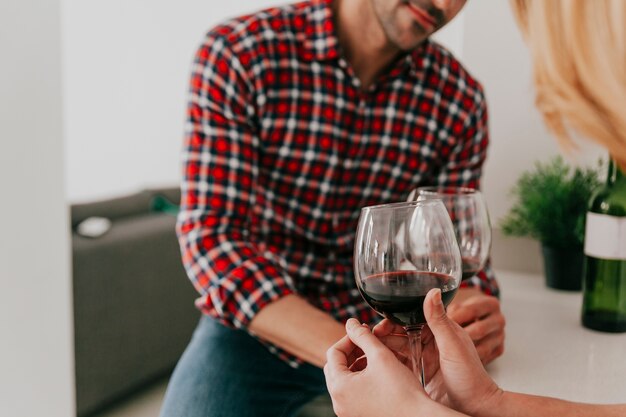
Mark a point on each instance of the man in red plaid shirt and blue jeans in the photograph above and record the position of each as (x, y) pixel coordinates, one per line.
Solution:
(298, 117)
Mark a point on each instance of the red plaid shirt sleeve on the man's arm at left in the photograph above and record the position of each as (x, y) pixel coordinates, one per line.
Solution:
(234, 276)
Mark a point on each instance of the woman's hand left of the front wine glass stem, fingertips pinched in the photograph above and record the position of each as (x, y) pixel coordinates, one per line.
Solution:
(376, 385)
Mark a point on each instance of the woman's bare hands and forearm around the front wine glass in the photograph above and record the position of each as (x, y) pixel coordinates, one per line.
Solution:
(363, 363)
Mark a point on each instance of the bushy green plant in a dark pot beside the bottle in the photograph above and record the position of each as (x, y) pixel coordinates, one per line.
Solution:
(550, 206)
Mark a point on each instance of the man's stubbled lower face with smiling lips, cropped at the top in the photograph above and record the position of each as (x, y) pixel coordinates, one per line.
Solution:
(408, 22)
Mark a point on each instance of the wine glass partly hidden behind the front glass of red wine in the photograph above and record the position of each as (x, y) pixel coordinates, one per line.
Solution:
(469, 215)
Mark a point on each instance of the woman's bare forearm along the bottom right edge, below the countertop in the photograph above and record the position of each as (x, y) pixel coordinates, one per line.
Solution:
(522, 405)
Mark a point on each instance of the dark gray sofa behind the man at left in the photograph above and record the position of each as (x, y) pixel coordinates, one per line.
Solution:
(133, 304)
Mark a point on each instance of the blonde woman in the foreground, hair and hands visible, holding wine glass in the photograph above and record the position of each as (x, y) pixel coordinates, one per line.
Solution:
(579, 54)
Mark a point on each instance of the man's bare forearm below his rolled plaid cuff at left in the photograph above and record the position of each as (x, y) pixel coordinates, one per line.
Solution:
(296, 326)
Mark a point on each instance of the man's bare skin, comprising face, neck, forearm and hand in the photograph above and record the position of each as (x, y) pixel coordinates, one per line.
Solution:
(372, 33)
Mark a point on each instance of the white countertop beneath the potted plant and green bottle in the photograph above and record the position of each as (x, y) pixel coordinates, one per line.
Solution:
(548, 352)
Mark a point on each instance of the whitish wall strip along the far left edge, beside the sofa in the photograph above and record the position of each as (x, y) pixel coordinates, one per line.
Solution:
(36, 355)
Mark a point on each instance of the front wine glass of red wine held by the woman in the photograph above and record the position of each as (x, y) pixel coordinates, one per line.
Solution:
(402, 251)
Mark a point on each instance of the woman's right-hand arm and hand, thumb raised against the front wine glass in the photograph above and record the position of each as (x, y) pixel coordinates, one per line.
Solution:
(461, 382)
